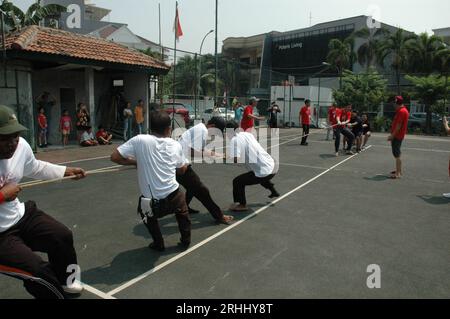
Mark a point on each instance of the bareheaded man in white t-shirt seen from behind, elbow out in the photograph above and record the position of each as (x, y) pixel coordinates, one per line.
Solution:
(158, 158)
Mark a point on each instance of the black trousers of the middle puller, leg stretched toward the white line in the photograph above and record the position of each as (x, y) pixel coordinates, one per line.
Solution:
(195, 188)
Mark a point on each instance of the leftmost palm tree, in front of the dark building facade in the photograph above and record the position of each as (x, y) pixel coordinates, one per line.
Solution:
(341, 55)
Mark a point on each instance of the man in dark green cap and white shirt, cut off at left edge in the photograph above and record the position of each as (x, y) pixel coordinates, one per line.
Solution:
(24, 228)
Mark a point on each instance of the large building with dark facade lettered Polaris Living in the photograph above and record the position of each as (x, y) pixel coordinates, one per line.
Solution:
(274, 57)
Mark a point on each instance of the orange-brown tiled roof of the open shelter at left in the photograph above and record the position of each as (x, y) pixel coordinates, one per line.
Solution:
(62, 43)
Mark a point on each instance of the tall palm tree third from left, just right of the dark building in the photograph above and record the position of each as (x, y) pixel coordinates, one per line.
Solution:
(396, 46)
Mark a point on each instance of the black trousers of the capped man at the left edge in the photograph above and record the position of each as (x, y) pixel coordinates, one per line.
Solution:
(37, 231)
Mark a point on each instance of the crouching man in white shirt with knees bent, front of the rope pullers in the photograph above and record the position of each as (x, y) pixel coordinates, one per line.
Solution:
(244, 147)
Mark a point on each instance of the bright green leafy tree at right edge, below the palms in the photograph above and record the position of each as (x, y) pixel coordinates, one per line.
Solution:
(429, 90)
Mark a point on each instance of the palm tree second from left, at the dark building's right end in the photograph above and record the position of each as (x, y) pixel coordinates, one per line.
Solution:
(367, 52)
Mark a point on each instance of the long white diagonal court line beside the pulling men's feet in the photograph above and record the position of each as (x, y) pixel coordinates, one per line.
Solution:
(207, 240)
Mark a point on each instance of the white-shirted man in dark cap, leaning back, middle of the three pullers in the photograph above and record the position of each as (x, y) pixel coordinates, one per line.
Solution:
(195, 140)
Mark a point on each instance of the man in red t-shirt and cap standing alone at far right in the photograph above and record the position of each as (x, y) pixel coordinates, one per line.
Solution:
(398, 132)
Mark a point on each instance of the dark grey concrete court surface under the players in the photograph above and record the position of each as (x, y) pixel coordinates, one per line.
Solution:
(336, 216)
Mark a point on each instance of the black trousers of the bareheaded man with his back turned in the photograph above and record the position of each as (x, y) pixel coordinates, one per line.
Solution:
(176, 204)
